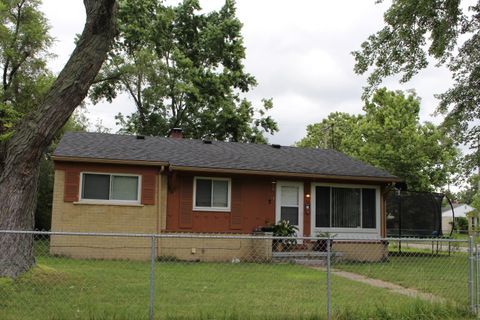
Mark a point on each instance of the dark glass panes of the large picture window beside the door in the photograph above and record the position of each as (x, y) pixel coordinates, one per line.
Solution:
(342, 207)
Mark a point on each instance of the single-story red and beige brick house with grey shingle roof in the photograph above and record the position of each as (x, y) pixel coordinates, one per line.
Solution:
(137, 184)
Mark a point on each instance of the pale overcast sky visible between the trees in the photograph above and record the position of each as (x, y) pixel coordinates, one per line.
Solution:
(299, 51)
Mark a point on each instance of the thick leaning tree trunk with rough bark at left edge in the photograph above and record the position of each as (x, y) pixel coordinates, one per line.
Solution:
(21, 154)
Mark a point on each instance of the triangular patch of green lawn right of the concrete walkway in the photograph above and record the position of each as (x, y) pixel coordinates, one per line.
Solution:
(442, 275)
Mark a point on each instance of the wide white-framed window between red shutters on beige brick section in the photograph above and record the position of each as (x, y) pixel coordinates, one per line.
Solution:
(110, 187)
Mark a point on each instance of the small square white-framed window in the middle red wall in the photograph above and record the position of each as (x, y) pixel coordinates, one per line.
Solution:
(212, 194)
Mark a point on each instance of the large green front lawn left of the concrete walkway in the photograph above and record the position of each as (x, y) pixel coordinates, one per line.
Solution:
(62, 288)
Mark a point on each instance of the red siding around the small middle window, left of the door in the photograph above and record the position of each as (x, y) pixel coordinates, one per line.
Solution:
(252, 205)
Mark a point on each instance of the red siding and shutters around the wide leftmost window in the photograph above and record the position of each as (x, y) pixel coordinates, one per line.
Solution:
(73, 170)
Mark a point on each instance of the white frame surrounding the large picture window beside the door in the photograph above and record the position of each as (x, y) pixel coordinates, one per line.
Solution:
(344, 232)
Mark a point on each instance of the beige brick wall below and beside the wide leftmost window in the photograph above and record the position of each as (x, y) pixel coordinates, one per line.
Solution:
(77, 217)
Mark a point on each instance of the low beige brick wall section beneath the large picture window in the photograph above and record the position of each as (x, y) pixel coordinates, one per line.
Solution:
(361, 251)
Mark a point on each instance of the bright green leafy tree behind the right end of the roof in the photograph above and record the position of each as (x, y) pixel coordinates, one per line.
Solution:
(390, 136)
